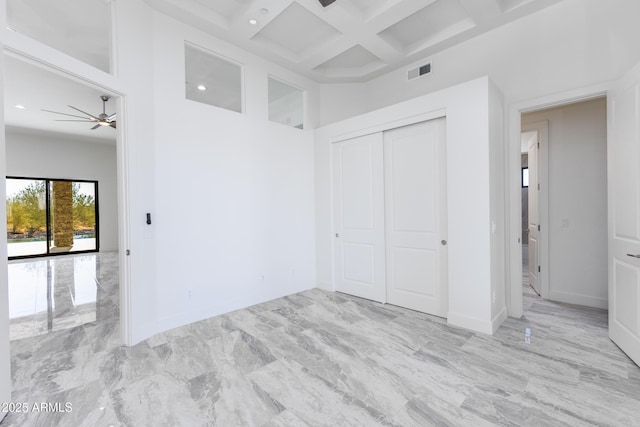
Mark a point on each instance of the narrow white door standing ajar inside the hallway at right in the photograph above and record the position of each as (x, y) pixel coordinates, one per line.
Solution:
(533, 148)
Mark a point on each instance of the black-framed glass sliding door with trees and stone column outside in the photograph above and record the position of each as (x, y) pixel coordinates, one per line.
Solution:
(51, 216)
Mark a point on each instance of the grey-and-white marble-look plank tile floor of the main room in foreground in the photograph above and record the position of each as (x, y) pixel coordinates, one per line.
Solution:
(325, 359)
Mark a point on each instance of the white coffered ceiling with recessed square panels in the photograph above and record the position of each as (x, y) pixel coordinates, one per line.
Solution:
(350, 40)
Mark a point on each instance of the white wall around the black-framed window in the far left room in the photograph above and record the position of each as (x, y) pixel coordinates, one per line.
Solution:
(39, 155)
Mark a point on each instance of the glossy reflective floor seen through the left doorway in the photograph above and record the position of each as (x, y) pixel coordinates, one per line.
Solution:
(56, 293)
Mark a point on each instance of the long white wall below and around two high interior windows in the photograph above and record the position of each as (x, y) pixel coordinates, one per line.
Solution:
(235, 202)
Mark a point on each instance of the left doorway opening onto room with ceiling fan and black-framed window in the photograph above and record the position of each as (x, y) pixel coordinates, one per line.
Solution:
(76, 209)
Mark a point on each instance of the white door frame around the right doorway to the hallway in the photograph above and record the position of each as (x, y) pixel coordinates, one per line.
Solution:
(513, 197)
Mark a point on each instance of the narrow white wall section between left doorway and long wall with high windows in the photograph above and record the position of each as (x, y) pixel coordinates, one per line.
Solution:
(138, 191)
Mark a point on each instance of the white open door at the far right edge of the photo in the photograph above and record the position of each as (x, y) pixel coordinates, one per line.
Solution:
(624, 215)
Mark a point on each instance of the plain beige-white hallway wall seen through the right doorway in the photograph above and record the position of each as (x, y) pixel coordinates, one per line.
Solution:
(577, 192)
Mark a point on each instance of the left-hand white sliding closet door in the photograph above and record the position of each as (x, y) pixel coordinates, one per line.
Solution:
(359, 217)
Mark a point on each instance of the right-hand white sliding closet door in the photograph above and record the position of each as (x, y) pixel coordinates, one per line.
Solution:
(415, 216)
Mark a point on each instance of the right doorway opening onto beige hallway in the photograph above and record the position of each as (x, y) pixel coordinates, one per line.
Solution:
(563, 210)
